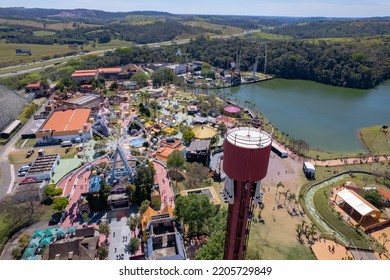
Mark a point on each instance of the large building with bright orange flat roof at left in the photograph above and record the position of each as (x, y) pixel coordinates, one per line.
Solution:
(65, 125)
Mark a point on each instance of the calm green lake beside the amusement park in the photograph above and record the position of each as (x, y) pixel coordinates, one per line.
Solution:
(326, 117)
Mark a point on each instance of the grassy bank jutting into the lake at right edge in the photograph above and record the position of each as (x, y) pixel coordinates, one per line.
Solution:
(376, 139)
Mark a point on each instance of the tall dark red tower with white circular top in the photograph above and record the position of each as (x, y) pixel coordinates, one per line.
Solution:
(245, 162)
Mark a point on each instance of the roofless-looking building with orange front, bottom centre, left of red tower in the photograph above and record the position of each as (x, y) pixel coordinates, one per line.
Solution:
(162, 235)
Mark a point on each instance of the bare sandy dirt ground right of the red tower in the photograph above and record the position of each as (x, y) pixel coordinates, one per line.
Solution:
(276, 238)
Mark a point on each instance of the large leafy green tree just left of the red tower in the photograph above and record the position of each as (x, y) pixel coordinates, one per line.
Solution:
(194, 211)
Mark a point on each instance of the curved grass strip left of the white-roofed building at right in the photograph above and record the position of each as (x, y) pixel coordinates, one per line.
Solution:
(321, 202)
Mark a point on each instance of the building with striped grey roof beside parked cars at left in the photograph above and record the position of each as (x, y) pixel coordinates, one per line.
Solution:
(43, 167)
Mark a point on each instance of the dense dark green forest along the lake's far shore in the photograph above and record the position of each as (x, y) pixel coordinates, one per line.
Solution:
(358, 64)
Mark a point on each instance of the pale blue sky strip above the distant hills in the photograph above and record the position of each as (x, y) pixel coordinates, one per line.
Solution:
(327, 8)
